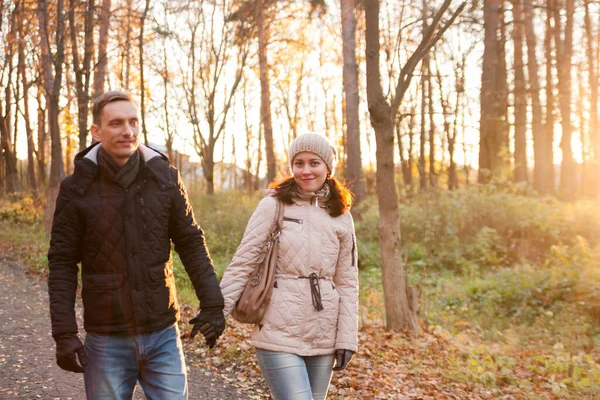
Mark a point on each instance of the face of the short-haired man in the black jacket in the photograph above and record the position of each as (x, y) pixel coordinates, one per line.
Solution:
(118, 130)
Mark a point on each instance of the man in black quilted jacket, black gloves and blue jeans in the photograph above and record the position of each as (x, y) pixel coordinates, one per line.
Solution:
(117, 215)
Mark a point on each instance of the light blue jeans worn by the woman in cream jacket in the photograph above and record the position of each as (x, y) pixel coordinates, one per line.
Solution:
(292, 377)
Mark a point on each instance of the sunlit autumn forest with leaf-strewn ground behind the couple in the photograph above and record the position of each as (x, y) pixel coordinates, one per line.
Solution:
(468, 132)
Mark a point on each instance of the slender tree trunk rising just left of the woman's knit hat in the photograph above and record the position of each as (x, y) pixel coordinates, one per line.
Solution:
(265, 93)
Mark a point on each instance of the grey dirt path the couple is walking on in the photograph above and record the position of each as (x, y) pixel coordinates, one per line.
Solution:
(27, 366)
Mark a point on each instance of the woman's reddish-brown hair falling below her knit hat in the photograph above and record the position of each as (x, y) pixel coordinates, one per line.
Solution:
(340, 199)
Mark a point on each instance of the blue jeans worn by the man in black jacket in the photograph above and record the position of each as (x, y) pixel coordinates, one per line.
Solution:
(117, 362)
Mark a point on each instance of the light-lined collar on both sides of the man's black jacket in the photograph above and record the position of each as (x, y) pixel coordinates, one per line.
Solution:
(156, 165)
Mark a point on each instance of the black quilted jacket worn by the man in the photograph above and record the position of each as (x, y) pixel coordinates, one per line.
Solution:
(122, 238)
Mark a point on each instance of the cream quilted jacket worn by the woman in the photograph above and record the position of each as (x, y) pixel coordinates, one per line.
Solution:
(311, 241)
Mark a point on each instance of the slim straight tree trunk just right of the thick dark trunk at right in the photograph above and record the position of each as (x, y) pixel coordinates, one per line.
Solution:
(520, 96)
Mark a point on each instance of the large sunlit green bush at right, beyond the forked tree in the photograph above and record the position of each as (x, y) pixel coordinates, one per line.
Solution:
(481, 227)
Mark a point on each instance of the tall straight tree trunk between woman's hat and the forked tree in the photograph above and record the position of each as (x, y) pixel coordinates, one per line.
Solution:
(354, 173)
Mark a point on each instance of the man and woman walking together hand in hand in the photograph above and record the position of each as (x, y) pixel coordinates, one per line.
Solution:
(117, 215)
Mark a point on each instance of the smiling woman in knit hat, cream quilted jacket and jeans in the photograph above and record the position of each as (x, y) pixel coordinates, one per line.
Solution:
(310, 327)
